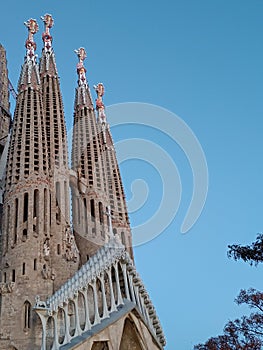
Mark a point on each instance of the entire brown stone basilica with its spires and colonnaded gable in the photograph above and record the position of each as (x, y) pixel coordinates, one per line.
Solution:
(63, 286)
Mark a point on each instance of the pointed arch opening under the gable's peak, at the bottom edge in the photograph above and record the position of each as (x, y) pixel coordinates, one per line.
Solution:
(131, 339)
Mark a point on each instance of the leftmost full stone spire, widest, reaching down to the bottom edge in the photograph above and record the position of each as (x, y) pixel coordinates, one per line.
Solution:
(25, 255)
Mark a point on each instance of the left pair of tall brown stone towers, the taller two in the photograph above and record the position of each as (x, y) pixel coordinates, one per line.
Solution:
(38, 251)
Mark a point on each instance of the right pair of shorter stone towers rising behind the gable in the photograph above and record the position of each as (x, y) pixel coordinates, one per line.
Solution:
(97, 190)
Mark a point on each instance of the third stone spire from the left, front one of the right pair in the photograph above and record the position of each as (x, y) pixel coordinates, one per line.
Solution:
(89, 186)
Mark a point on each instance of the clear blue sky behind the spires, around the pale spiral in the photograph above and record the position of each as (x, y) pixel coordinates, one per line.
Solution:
(203, 61)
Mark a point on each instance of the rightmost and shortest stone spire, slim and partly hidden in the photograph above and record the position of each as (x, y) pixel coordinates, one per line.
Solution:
(115, 191)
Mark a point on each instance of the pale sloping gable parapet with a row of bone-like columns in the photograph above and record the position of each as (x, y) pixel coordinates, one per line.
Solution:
(106, 282)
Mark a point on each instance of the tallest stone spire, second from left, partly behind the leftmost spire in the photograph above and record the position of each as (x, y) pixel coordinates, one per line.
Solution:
(57, 150)
